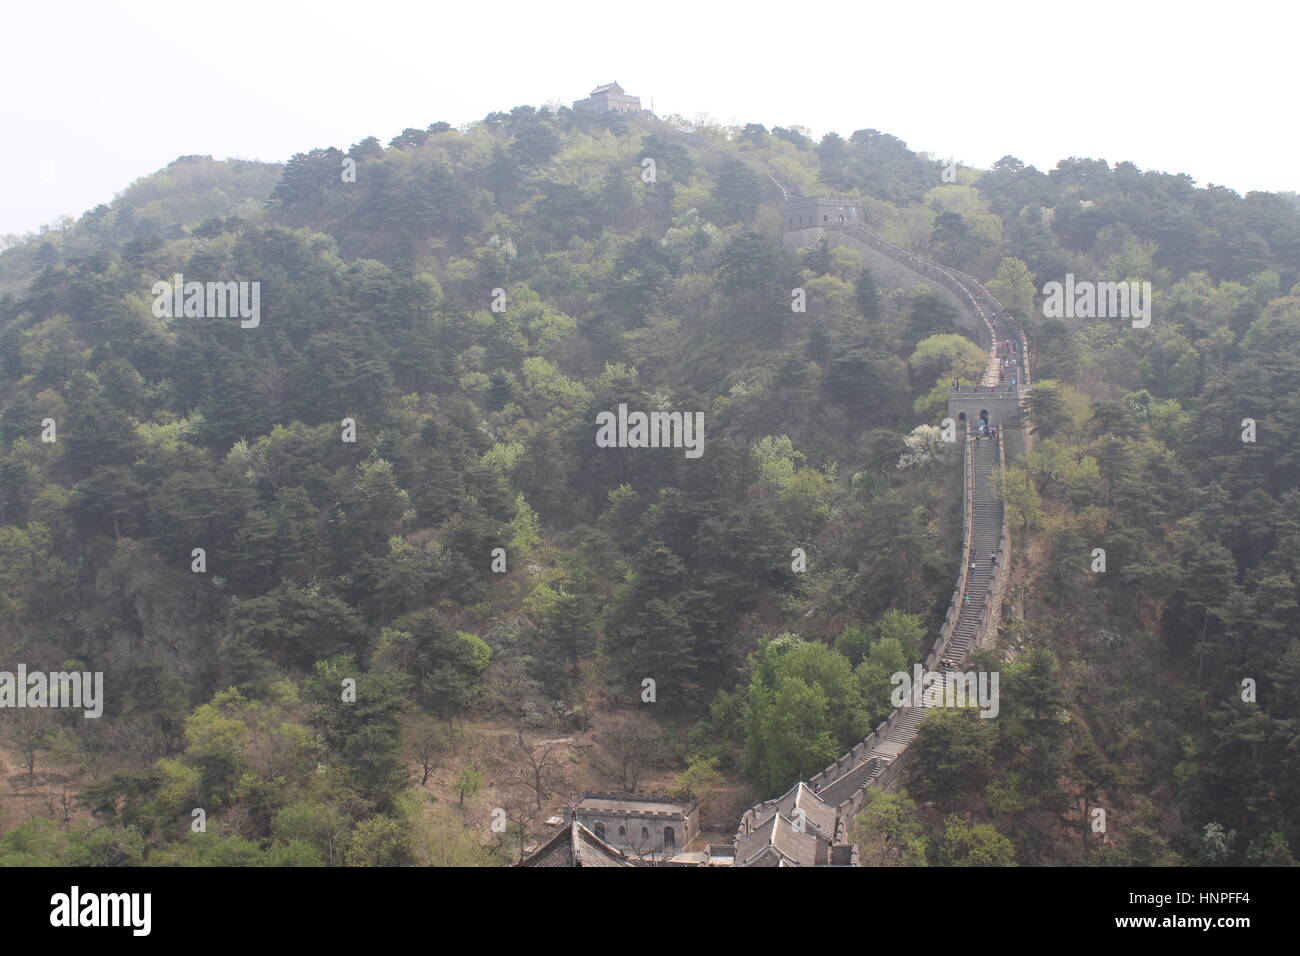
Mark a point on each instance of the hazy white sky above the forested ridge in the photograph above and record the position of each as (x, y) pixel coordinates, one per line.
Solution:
(99, 94)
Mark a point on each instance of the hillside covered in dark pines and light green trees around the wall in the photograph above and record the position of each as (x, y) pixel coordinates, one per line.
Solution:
(465, 304)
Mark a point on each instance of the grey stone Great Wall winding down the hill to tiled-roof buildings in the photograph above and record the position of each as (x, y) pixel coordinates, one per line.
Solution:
(812, 824)
